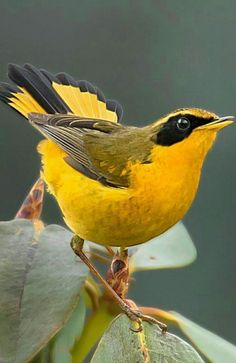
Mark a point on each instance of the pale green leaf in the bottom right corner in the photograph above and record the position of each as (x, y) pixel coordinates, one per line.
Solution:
(216, 349)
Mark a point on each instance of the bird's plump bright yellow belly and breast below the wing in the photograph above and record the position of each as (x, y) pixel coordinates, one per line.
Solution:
(159, 196)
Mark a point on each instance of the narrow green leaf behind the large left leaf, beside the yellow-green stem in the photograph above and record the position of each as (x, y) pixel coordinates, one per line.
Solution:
(65, 339)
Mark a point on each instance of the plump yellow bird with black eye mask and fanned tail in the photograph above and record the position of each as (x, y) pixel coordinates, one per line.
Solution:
(116, 185)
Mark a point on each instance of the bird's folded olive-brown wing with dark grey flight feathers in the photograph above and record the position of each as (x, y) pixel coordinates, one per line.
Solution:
(90, 145)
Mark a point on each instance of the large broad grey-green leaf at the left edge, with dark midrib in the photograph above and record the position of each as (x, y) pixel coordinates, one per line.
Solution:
(40, 282)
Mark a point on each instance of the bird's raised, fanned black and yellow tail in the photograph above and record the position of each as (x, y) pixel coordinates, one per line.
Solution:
(36, 90)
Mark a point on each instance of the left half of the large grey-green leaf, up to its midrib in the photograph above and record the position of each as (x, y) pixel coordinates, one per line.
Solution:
(15, 243)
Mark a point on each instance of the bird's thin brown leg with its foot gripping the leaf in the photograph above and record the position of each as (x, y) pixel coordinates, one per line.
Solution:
(132, 312)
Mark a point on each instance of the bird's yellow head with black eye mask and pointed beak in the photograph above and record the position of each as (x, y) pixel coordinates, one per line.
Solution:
(188, 132)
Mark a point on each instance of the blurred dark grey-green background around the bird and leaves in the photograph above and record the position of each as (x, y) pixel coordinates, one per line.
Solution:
(153, 57)
